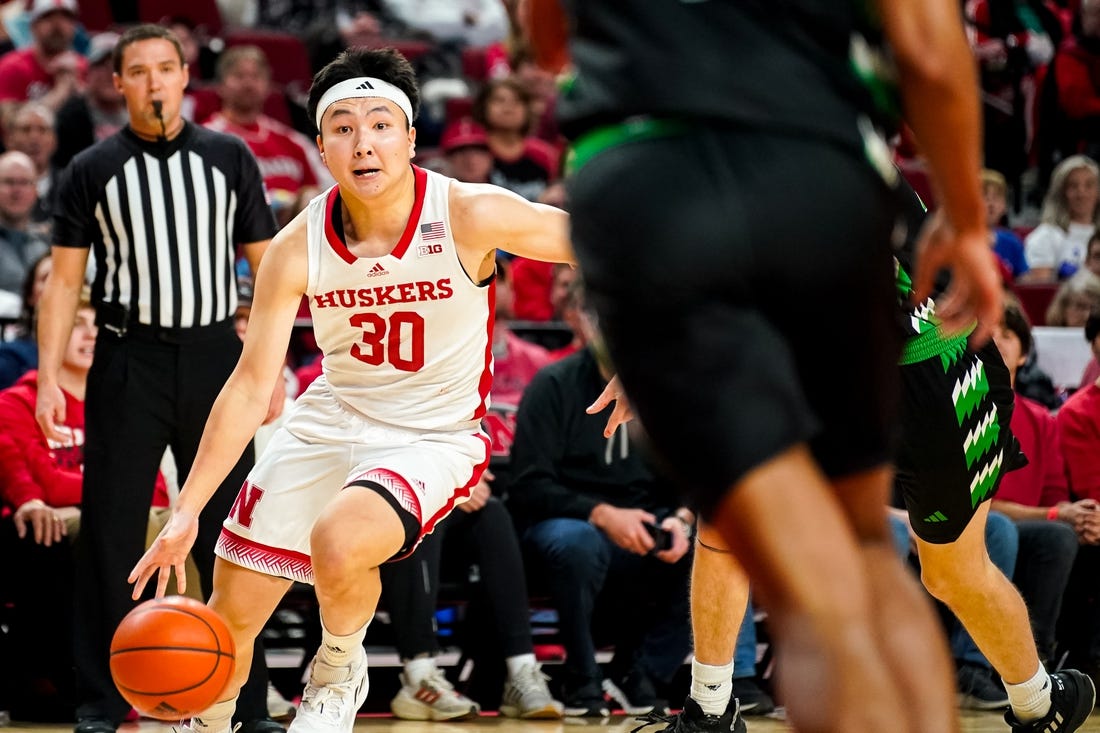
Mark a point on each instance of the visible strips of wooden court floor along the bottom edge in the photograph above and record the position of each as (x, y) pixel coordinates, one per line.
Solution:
(973, 723)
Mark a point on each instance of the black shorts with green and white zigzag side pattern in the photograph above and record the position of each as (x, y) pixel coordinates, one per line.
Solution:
(956, 443)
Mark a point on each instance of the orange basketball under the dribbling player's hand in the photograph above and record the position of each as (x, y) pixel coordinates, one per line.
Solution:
(172, 658)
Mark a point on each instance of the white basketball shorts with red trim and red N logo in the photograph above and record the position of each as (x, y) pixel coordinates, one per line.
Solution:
(322, 450)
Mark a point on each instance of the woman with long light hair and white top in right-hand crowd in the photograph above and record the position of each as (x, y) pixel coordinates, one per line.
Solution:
(1071, 213)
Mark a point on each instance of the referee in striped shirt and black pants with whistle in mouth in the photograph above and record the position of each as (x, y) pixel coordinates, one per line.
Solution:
(163, 204)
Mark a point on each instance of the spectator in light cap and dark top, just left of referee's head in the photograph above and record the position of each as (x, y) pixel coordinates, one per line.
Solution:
(97, 114)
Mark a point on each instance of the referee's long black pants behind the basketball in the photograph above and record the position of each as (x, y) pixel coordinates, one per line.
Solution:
(147, 391)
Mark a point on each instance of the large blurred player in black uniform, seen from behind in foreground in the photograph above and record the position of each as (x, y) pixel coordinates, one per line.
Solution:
(729, 170)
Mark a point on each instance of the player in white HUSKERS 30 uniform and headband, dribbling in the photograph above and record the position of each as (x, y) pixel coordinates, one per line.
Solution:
(398, 265)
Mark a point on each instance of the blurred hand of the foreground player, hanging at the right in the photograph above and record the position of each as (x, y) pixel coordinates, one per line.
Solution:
(975, 293)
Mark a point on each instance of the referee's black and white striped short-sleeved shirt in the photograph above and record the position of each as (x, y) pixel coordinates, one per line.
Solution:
(164, 221)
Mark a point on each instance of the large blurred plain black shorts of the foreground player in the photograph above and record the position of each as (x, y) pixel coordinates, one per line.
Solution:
(744, 282)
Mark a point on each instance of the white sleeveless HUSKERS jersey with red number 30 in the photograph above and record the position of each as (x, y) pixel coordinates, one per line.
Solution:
(408, 337)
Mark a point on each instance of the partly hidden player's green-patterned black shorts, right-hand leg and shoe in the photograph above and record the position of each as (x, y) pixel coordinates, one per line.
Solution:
(955, 446)
